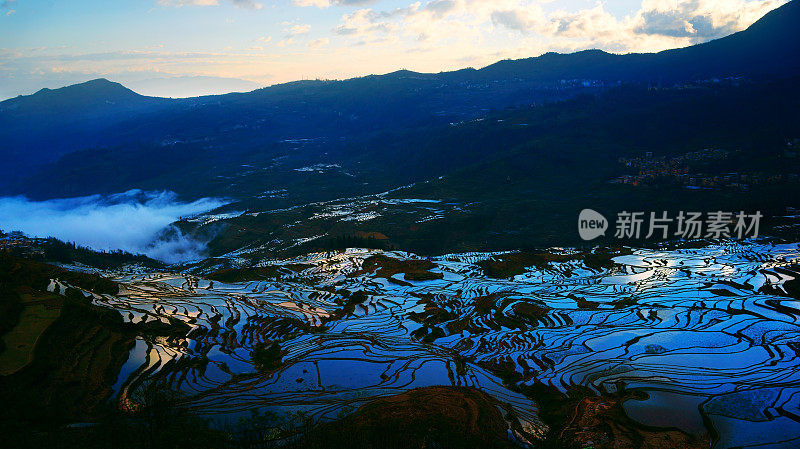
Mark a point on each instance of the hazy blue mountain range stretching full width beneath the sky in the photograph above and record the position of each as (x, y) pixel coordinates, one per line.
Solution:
(298, 125)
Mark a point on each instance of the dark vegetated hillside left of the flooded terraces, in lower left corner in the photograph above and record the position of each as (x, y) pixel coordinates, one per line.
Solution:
(63, 354)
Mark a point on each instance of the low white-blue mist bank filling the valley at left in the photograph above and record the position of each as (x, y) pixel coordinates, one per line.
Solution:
(134, 221)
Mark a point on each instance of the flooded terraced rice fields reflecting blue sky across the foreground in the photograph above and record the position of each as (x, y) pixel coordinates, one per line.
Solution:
(710, 334)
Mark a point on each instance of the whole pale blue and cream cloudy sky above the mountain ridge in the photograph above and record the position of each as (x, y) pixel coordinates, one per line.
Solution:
(193, 47)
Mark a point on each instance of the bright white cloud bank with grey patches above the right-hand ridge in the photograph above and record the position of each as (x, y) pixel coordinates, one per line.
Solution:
(454, 24)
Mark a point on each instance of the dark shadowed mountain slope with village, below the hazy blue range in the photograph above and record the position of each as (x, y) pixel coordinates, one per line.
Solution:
(519, 178)
